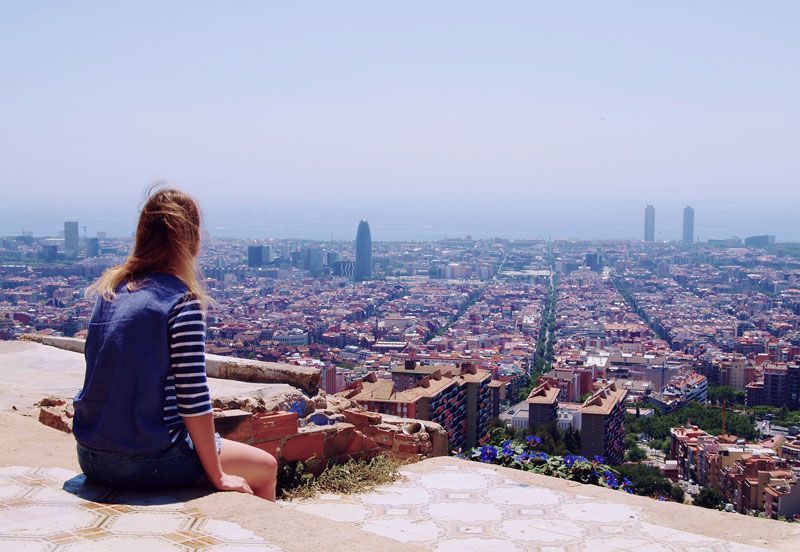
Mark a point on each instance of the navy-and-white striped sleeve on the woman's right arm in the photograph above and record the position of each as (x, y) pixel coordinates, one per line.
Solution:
(187, 347)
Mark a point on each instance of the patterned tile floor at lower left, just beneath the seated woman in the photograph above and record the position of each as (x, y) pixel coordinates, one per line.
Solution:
(56, 510)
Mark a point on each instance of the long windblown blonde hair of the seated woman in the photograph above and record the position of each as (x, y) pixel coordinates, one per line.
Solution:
(167, 240)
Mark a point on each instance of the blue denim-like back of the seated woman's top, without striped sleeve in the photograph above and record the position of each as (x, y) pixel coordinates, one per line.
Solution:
(121, 405)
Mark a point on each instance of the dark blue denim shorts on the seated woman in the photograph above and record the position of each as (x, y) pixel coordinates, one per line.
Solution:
(174, 467)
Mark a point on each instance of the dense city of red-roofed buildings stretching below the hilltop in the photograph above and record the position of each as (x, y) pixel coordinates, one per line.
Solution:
(674, 361)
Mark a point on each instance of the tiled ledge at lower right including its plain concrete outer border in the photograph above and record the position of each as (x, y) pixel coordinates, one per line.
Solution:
(452, 504)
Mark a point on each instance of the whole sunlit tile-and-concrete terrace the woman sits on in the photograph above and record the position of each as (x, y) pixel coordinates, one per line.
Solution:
(440, 504)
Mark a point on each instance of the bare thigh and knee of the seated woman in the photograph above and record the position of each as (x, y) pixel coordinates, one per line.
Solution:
(258, 467)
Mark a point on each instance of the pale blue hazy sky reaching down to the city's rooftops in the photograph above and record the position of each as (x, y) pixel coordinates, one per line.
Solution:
(464, 116)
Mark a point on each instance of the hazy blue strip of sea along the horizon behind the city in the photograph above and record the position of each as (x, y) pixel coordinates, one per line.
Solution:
(418, 220)
